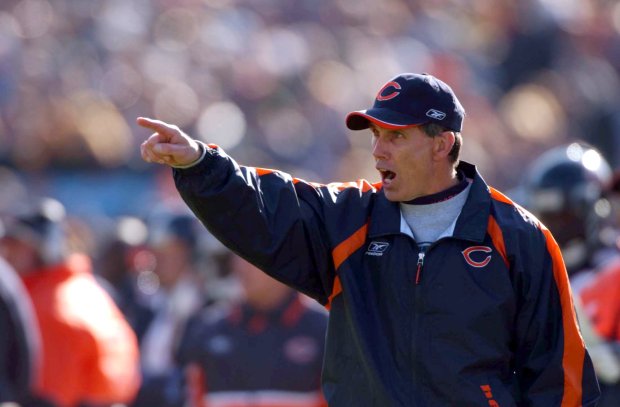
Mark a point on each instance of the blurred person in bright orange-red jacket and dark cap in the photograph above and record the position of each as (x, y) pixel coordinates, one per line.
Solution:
(89, 352)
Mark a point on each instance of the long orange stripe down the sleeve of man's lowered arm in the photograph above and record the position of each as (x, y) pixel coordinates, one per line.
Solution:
(574, 348)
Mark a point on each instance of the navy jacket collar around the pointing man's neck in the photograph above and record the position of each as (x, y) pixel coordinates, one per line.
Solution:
(470, 225)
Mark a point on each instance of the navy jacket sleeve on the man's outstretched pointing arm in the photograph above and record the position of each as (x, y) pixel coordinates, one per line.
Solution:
(267, 217)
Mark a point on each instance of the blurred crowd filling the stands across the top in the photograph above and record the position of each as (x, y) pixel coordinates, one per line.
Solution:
(534, 73)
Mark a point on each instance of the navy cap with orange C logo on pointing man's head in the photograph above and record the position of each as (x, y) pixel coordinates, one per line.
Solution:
(411, 99)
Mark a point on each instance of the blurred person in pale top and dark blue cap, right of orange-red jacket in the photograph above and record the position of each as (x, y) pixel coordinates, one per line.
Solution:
(176, 292)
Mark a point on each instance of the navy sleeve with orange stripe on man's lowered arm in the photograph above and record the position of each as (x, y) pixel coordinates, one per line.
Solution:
(552, 365)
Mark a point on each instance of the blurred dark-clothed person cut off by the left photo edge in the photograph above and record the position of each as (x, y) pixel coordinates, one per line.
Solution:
(19, 343)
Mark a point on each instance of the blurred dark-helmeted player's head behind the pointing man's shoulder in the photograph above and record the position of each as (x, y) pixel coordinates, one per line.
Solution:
(564, 189)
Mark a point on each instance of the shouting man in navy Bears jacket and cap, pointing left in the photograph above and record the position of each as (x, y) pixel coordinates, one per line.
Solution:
(442, 291)
